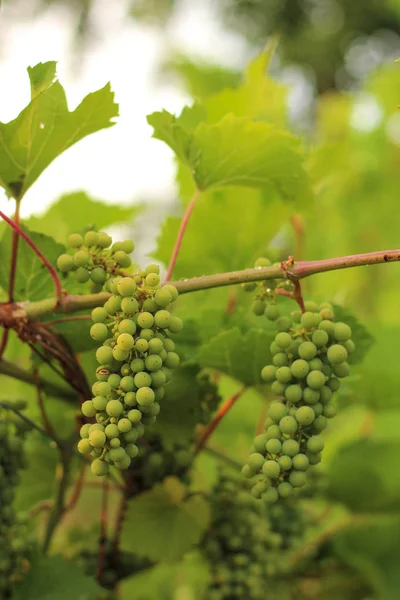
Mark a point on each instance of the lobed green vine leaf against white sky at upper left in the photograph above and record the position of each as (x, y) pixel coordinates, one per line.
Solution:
(45, 128)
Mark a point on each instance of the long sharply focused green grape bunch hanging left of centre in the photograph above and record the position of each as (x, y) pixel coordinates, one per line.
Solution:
(136, 358)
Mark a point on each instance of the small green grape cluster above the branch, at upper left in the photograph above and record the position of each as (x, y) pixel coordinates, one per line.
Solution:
(95, 257)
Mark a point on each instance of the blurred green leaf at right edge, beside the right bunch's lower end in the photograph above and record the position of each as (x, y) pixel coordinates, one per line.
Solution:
(363, 475)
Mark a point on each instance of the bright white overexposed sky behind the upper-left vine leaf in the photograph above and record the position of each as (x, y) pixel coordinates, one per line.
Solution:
(122, 163)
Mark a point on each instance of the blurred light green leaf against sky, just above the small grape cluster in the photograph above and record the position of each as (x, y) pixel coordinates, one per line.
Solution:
(76, 212)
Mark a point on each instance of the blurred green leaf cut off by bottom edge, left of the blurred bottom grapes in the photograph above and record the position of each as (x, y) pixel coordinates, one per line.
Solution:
(188, 579)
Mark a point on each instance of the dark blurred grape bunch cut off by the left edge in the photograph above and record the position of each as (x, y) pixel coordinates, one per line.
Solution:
(15, 542)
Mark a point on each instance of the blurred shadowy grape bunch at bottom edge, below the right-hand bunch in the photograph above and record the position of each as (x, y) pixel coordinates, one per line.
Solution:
(243, 552)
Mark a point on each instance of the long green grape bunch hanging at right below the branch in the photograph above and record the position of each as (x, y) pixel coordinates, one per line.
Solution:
(310, 354)
